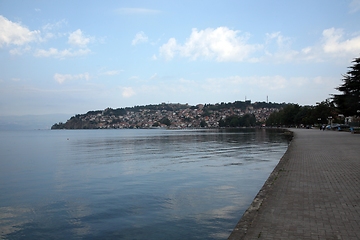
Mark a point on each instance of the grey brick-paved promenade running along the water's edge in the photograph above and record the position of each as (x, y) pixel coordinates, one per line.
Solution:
(313, 193)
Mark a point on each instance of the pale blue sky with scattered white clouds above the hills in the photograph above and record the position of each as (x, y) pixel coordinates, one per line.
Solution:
(71, 57)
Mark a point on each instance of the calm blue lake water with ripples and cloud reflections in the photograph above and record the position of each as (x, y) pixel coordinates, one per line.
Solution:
(131, 184)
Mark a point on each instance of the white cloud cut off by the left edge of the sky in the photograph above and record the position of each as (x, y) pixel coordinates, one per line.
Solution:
(14, 34)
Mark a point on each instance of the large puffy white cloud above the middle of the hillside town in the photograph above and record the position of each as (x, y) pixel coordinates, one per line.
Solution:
(221, 44)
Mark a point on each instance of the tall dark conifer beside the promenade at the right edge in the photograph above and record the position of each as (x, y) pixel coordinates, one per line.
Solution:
(348, 103)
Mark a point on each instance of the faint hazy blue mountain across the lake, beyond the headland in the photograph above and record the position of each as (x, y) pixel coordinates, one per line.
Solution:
(30, 122)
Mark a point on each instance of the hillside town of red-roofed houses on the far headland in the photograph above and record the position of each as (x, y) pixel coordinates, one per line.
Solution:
(169, 116)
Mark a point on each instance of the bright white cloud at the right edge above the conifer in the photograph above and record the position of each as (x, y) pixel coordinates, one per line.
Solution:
(335, 44)
